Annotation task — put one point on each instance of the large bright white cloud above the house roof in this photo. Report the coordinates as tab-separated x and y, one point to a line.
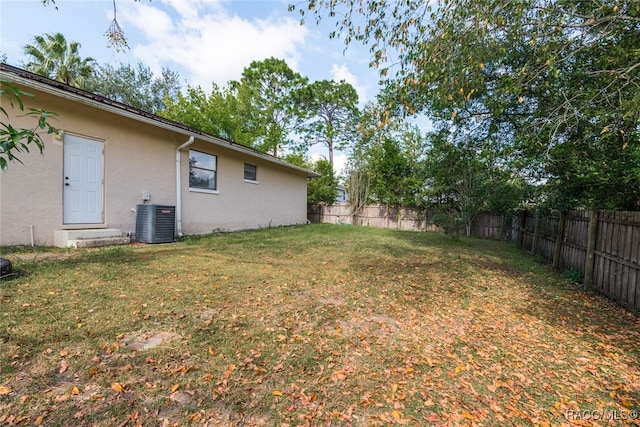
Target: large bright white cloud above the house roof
209	43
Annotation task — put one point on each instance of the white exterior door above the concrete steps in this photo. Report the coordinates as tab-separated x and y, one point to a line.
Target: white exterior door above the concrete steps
82	180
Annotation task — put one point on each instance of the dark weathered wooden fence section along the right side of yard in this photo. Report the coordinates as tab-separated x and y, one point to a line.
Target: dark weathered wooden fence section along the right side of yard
603	246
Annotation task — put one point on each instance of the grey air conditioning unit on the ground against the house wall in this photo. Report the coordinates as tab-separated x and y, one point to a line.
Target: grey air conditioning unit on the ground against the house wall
155	223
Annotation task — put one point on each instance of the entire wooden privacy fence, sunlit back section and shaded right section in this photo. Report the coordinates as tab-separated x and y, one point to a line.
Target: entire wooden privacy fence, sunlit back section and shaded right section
601	246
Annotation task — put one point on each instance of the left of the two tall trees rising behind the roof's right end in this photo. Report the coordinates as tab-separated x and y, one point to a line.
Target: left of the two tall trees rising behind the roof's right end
265	94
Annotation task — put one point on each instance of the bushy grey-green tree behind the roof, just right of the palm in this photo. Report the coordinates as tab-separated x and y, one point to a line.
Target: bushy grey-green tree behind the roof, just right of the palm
137	87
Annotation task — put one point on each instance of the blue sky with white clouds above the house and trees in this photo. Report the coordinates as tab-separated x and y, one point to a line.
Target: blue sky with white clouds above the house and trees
204	40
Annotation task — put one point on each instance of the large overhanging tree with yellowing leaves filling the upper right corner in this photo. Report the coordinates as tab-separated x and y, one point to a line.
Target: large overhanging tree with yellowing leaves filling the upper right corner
535	74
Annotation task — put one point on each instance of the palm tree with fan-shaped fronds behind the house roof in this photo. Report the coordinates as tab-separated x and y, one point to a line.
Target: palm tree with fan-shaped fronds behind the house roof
52	57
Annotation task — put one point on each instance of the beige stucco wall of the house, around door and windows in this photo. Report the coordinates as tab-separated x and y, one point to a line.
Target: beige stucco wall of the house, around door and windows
140	157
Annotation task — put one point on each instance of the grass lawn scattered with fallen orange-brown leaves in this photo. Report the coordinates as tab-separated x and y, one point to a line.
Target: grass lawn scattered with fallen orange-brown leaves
309	325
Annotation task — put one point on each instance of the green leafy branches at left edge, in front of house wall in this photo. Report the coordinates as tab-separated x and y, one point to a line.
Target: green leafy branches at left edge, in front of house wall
17	140
